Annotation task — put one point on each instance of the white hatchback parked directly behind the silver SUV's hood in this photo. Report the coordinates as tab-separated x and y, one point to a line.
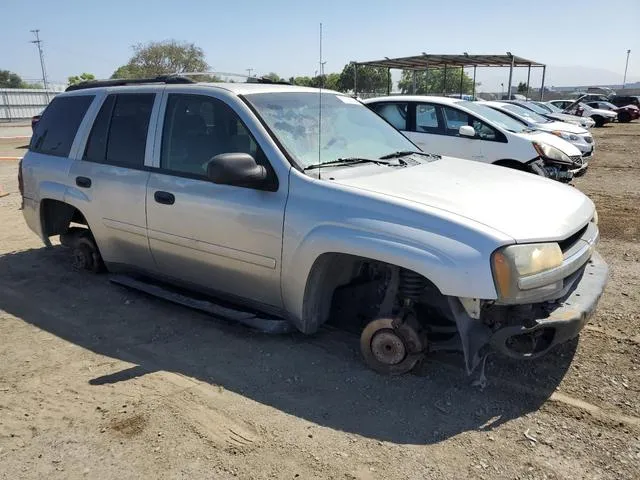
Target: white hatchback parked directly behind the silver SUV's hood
472	130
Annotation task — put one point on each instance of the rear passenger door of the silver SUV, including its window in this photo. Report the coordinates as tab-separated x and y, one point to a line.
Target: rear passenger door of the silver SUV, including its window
109	182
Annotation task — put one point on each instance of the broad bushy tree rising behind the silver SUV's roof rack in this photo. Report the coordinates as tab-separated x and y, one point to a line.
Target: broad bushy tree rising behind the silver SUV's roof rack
162	58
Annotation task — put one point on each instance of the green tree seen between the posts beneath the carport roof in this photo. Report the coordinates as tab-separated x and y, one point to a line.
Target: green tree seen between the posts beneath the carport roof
432	81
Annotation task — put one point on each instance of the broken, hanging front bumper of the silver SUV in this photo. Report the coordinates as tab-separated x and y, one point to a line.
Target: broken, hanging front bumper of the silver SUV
554	323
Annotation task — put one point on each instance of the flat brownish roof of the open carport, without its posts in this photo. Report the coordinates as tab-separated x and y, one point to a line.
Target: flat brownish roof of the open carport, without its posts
421	62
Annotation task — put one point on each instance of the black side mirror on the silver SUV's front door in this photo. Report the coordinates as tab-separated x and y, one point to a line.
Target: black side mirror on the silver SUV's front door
238	169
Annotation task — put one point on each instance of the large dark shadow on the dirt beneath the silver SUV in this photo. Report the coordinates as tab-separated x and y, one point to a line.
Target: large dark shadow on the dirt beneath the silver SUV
319	378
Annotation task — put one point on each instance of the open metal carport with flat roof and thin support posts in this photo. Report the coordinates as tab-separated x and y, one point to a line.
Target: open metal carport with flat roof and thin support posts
426	61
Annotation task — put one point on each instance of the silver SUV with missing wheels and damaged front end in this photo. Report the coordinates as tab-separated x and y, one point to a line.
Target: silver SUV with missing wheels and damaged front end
239	192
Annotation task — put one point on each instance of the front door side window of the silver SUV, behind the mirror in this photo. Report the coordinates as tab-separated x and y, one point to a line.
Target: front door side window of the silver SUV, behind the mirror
196	129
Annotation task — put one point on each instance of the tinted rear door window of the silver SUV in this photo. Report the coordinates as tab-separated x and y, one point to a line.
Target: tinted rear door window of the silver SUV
119	133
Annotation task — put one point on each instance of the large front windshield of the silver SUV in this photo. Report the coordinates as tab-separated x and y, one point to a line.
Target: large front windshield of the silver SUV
349	129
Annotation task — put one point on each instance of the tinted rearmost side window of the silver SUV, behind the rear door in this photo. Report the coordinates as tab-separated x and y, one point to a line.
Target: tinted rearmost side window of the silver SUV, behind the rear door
59	124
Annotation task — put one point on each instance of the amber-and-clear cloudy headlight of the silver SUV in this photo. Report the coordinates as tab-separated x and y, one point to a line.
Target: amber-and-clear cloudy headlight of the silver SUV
512	263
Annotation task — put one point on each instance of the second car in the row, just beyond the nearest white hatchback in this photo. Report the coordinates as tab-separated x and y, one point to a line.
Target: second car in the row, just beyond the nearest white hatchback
577	136
